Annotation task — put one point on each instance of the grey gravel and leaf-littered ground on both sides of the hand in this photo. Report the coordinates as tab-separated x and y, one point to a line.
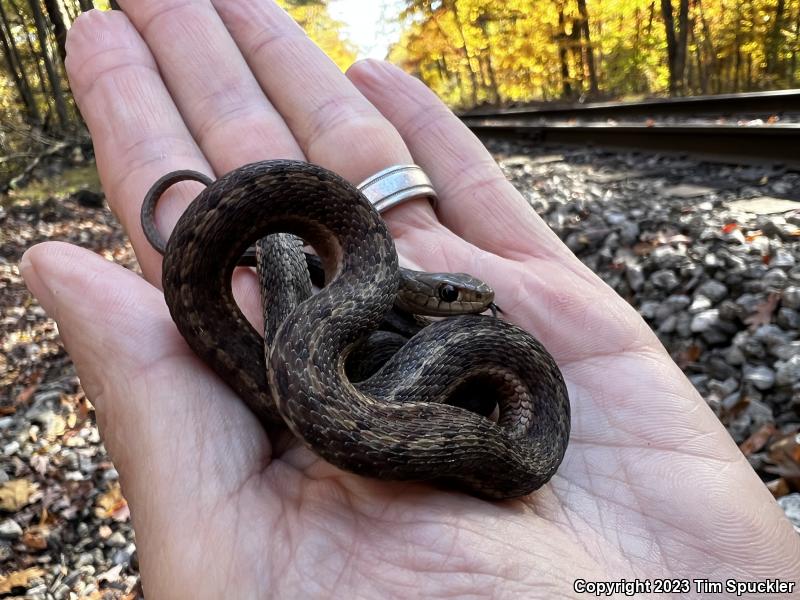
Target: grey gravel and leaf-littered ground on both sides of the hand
709	255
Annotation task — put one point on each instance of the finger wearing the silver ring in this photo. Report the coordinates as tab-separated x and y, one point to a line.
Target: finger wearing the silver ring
332	121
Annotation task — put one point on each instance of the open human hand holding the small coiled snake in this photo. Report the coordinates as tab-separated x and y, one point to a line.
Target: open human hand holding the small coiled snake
652	486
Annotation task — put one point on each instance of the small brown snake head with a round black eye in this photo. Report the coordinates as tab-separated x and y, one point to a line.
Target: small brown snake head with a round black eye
443	294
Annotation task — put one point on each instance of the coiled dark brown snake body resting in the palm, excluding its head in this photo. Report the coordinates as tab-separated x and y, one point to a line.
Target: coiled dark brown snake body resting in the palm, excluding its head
408	420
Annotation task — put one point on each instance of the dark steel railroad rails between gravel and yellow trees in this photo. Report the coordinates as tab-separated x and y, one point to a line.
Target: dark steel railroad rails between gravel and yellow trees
694	126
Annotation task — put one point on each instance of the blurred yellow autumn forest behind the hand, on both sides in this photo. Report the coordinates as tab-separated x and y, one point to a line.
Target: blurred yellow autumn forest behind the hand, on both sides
471	52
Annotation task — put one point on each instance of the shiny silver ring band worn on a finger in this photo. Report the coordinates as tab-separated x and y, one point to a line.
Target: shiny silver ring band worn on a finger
397	184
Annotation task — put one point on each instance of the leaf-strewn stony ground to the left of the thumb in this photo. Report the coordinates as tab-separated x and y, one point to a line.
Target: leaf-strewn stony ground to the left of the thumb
65	530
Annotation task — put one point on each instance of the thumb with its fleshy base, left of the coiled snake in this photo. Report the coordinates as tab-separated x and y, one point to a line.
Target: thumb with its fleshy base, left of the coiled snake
153	397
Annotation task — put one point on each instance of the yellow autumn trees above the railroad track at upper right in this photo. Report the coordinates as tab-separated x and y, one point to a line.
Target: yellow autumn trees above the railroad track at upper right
491	51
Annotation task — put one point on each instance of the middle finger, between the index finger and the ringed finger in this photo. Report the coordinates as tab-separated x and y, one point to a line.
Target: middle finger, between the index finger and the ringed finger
221	102
